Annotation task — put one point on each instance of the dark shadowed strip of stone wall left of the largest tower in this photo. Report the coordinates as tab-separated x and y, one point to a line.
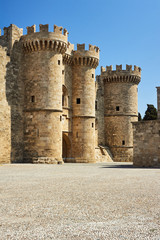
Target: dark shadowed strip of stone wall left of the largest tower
15	98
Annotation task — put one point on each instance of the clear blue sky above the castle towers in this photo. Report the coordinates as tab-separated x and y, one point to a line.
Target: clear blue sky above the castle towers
126	31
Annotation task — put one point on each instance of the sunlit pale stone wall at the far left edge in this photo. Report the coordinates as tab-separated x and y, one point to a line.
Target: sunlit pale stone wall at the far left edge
5	111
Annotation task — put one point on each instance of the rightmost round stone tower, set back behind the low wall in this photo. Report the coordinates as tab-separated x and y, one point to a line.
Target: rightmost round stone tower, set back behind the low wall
120	109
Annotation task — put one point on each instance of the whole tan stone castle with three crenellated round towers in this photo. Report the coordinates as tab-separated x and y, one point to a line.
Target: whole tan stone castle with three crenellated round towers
51	107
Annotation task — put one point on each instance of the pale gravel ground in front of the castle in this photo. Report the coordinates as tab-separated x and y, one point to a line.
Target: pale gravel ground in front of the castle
79	202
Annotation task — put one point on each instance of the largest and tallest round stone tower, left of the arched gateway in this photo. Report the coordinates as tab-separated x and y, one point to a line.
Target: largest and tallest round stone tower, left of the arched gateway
42	76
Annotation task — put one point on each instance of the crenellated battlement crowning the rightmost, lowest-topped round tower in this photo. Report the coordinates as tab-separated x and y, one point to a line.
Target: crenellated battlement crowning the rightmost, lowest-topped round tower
121	75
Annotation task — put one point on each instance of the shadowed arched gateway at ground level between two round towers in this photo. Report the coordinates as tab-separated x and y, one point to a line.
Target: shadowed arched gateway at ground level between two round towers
66	148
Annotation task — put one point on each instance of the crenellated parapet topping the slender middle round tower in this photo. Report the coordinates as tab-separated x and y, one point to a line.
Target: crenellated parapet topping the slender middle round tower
86	57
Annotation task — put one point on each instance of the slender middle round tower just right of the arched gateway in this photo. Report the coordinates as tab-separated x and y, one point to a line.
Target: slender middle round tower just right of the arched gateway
83	103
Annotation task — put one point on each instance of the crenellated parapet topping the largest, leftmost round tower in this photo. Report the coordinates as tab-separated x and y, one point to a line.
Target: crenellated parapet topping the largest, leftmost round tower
45	40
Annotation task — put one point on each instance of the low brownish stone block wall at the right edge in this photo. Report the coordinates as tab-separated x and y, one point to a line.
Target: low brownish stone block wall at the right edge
146	143
